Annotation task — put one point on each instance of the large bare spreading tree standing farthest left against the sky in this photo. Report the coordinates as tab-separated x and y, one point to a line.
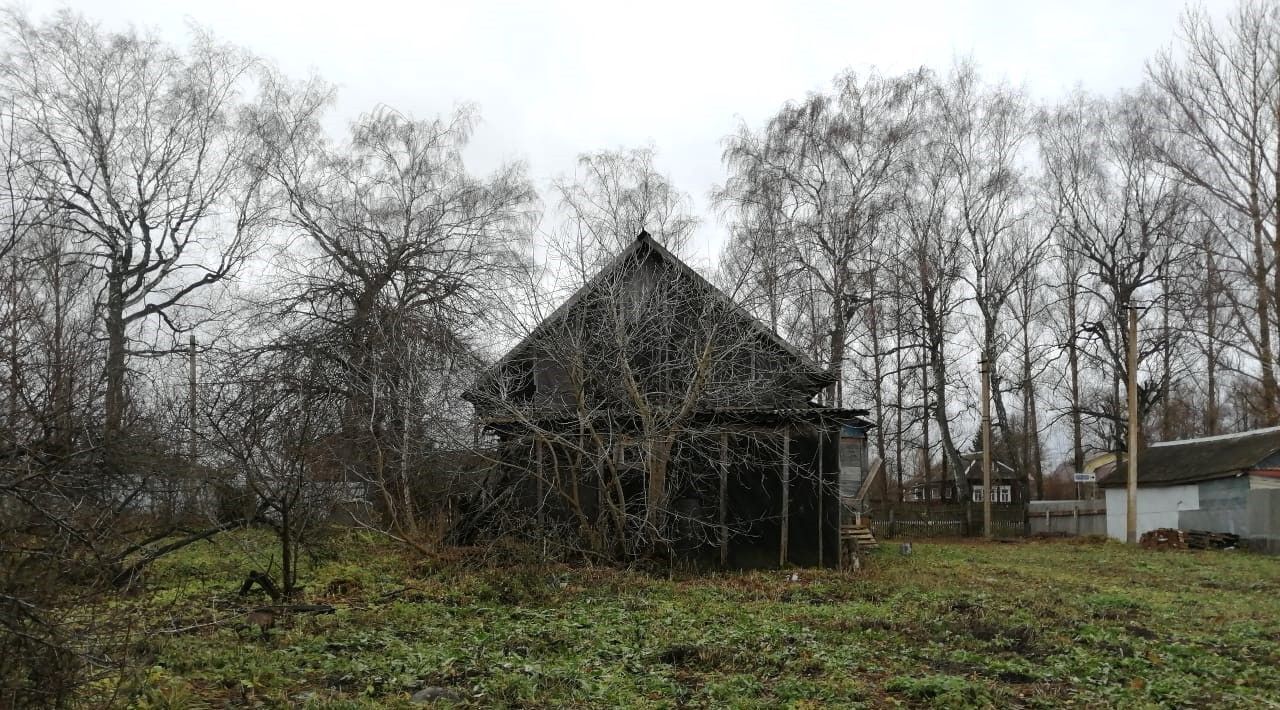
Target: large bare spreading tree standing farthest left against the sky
135	148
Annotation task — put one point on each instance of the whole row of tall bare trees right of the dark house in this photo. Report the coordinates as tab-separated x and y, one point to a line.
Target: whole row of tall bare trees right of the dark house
908	228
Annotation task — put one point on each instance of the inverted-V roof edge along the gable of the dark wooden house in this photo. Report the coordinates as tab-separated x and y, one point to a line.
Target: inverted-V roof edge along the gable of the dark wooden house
627	259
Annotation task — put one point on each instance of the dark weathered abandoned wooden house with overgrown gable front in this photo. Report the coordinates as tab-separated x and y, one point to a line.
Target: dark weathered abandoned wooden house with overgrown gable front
651	414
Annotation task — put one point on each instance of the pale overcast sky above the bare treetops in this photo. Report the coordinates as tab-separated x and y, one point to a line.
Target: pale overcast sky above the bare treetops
555	80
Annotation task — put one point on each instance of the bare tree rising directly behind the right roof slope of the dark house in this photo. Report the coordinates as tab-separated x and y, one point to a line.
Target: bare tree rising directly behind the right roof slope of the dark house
829	168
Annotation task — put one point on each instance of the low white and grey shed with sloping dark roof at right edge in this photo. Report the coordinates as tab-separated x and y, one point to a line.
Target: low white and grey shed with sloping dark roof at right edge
1219	484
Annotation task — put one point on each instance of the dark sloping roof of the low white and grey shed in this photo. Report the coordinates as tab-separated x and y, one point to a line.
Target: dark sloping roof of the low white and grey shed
1191	461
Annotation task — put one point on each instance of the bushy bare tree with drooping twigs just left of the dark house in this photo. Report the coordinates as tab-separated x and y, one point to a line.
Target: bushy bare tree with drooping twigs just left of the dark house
404	258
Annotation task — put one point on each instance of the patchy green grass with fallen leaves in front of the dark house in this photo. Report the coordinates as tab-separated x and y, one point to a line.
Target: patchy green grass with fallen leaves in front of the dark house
954	625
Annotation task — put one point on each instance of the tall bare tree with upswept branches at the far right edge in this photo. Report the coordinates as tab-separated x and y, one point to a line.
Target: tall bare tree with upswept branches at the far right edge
1220	135
